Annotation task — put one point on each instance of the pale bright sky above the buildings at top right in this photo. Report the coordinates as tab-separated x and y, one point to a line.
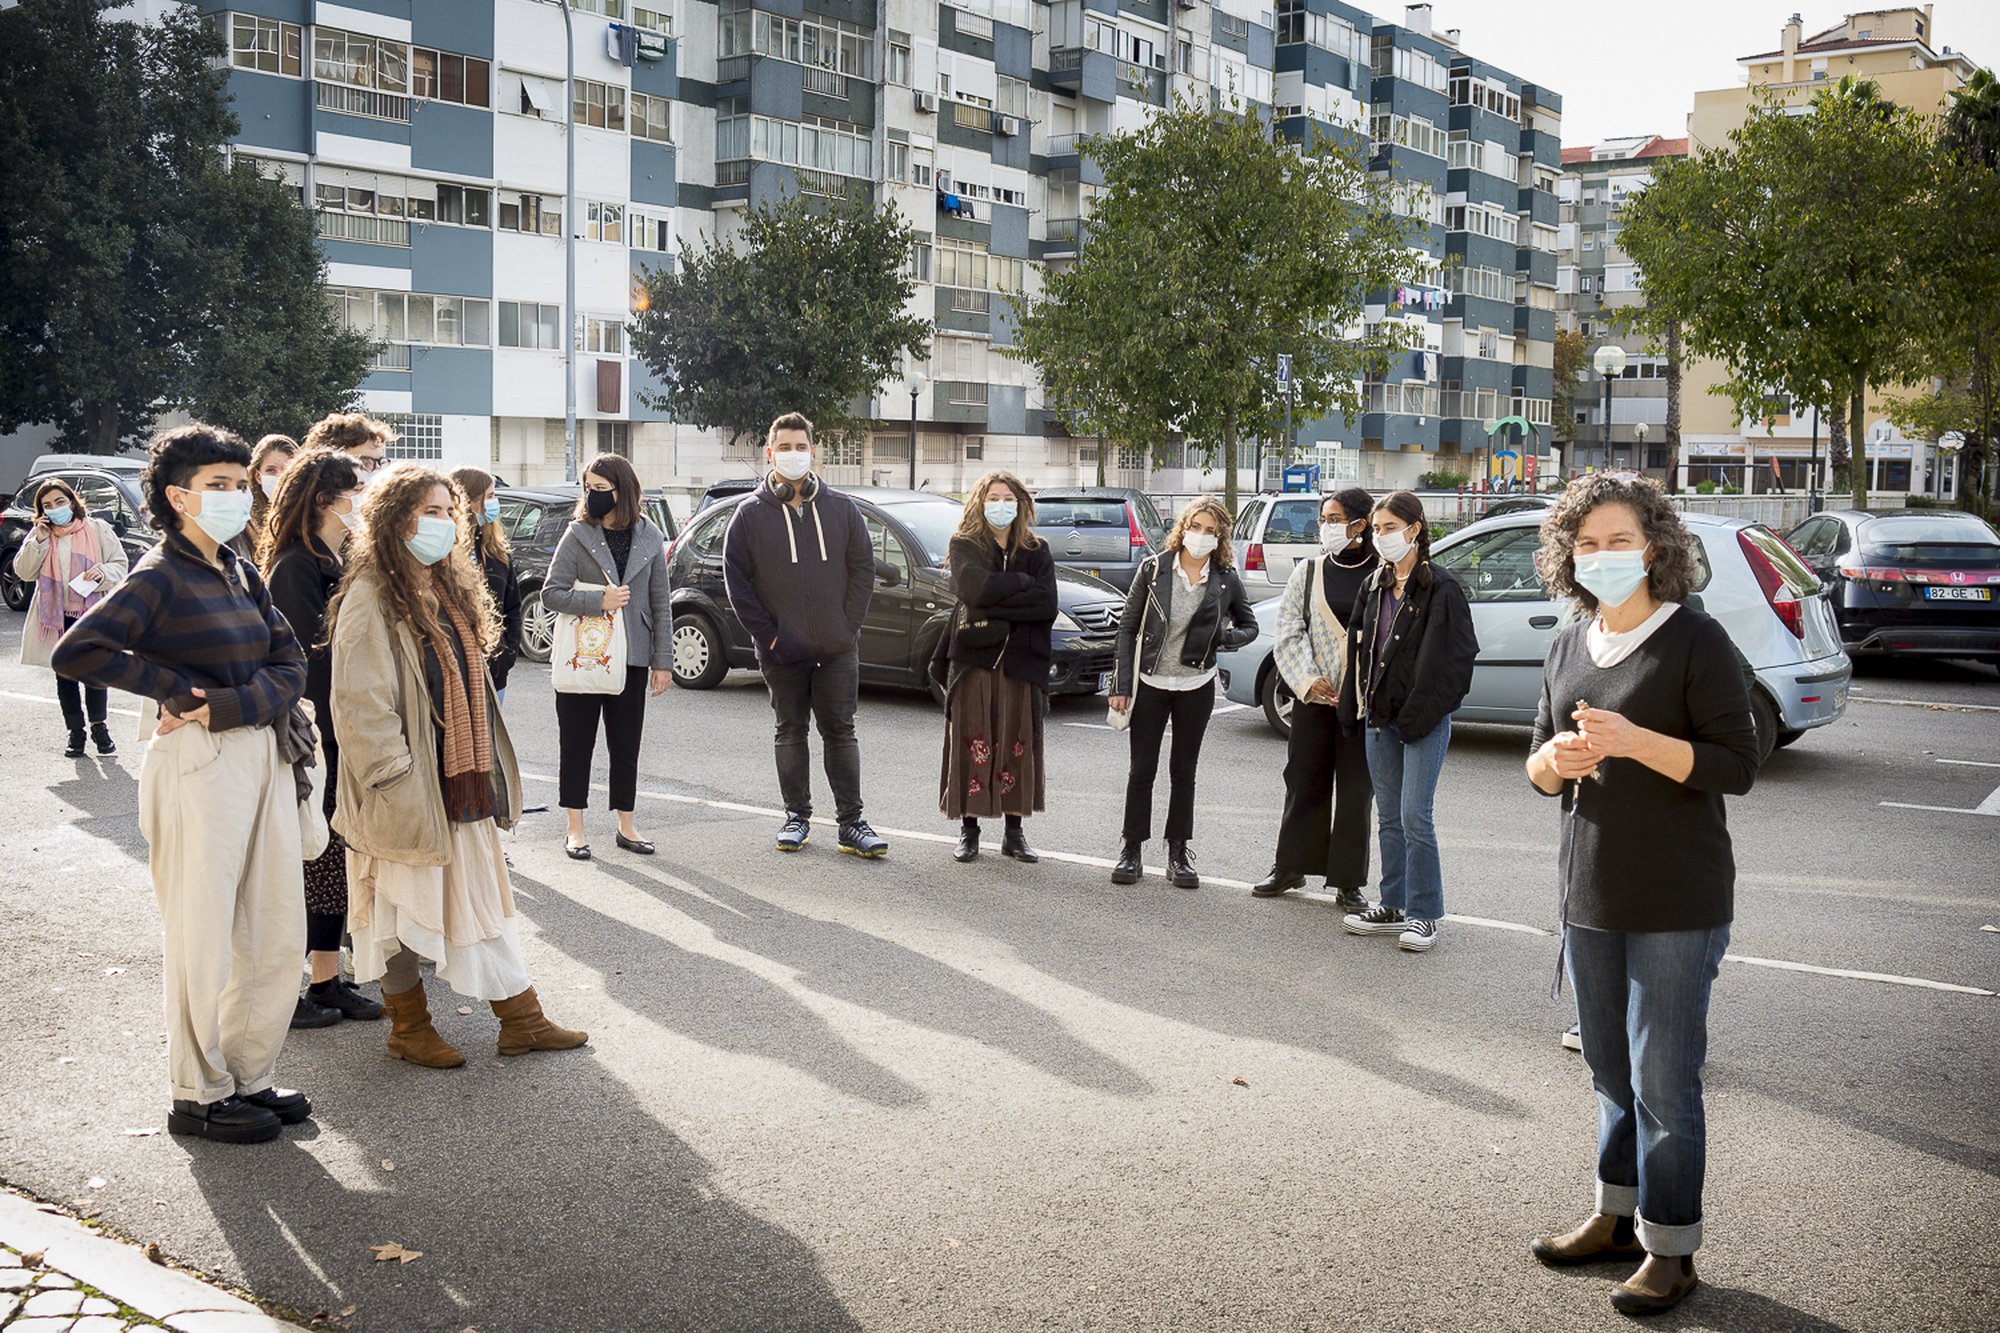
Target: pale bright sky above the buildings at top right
1633	69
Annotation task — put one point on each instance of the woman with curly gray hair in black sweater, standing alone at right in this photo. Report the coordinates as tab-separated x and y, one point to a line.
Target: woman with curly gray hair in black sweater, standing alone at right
1645	728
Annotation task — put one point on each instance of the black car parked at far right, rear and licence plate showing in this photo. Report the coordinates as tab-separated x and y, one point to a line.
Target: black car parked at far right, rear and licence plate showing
1921	581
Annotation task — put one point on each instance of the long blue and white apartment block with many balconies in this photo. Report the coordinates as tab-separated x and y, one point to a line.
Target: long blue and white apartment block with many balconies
431	139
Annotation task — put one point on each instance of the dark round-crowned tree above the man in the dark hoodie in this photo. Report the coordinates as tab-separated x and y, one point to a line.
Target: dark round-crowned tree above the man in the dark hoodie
807	315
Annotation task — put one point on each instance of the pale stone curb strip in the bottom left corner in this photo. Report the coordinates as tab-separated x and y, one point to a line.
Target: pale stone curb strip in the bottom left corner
127	1276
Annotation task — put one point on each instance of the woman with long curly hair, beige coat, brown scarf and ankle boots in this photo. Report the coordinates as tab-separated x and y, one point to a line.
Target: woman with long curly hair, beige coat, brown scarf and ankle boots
427	776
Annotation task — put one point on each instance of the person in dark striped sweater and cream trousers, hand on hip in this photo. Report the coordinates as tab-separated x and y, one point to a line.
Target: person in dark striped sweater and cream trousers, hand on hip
195	629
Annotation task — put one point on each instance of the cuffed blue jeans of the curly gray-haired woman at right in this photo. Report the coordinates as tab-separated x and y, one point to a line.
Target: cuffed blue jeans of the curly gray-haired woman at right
1643	1006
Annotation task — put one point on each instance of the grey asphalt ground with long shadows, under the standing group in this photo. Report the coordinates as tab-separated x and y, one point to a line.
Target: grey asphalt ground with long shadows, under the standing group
827	1094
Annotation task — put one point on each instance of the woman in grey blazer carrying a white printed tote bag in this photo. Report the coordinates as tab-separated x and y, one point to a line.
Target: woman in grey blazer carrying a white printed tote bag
621	557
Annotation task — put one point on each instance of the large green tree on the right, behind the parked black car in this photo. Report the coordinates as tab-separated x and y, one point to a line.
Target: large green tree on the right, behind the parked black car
1803	255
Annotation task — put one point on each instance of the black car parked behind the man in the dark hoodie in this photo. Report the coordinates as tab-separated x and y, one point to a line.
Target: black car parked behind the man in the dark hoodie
913	599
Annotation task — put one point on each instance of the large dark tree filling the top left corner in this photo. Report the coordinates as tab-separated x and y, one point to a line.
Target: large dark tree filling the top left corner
139	273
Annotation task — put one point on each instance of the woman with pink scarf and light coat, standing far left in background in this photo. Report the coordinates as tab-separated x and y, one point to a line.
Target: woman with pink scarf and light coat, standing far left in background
73	561
